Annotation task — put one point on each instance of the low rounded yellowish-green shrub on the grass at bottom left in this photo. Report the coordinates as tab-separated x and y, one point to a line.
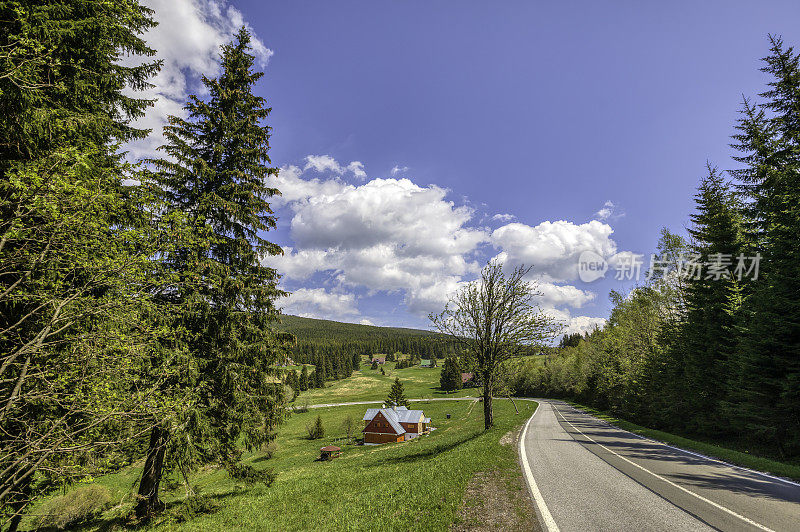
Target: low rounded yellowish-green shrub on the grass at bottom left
75	507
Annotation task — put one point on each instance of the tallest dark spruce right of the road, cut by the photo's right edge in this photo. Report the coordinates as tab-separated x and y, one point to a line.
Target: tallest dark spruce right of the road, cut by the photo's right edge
767	384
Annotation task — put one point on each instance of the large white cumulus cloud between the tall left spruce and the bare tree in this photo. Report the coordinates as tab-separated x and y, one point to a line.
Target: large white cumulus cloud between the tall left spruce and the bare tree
387	235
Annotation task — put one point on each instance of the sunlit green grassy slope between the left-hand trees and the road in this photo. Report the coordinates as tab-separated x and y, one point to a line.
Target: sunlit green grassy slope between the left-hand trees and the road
418	484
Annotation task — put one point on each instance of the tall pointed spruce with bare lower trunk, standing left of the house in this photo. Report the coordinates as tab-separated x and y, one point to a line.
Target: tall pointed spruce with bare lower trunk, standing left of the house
217	172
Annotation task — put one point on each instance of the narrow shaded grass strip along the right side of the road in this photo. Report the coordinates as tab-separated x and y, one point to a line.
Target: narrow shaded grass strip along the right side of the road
740	458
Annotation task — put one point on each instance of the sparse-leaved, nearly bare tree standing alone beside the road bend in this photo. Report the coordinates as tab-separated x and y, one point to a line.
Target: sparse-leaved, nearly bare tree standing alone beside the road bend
496	318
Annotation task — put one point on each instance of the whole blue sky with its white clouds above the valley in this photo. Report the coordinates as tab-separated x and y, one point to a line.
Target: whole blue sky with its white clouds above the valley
543	113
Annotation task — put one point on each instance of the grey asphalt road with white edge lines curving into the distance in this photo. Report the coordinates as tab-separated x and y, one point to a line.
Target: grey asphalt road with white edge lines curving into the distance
588	475
